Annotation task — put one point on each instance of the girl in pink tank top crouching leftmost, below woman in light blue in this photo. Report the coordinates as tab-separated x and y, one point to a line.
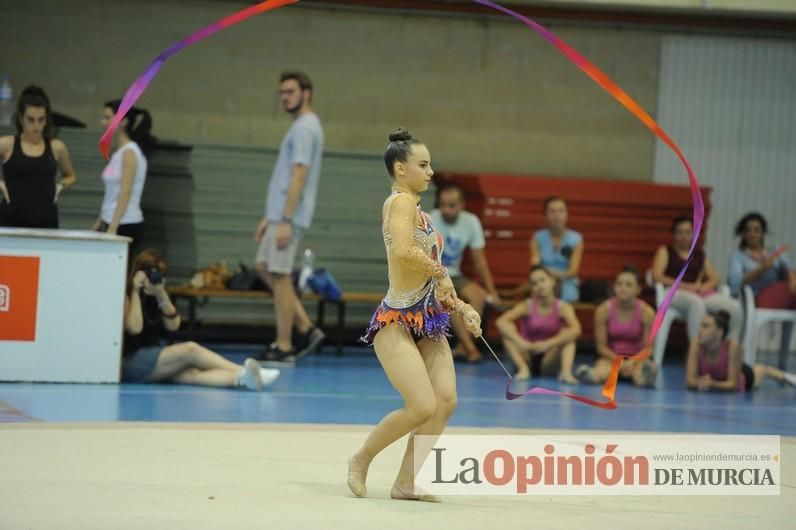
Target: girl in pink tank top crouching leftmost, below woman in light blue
539	334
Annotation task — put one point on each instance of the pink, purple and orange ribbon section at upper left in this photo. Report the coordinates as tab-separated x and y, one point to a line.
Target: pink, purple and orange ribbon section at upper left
139	85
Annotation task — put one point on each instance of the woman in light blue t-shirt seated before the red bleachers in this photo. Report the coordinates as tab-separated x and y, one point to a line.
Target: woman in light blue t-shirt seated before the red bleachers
558	249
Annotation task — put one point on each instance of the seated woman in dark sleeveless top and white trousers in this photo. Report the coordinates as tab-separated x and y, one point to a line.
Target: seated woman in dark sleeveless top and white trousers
697	292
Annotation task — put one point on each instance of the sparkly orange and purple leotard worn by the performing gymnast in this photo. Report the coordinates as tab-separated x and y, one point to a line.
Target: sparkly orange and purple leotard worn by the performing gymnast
416	310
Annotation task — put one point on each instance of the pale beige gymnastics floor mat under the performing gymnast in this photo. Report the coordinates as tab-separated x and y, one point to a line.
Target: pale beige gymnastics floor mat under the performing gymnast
233	476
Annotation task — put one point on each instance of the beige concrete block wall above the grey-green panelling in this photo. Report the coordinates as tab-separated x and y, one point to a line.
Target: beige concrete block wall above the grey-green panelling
486	94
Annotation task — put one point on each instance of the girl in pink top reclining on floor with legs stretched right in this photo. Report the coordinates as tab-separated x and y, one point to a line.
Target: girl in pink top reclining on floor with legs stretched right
714	361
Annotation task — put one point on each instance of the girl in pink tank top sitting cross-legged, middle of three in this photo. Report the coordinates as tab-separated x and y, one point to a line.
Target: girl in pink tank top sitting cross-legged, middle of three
621	327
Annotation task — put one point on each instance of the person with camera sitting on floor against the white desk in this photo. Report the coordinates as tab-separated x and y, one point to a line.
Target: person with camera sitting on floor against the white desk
149	315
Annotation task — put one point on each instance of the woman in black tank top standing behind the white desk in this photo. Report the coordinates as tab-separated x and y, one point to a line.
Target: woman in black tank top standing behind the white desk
31	160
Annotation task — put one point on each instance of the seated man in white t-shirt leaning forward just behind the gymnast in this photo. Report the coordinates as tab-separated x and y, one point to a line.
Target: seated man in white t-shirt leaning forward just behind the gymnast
461	230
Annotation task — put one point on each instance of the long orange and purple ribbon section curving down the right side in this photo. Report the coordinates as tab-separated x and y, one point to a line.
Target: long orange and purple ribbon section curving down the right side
599	77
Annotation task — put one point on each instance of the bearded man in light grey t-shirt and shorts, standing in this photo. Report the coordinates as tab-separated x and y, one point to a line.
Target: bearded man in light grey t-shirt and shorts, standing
289	208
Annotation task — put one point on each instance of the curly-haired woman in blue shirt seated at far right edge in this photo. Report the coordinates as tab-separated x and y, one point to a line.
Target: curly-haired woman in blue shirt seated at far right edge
766	270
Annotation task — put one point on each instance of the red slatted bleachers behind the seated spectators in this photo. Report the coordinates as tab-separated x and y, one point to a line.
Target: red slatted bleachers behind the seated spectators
621	222
